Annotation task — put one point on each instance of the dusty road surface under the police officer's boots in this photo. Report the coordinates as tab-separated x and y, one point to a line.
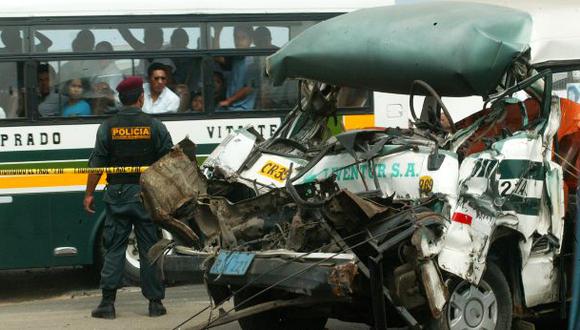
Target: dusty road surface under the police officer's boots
63	299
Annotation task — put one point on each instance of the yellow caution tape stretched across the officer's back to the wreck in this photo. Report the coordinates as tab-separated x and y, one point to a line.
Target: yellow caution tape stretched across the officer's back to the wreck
73	170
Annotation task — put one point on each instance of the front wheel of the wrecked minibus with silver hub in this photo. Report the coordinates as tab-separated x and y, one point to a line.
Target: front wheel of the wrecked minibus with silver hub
486	306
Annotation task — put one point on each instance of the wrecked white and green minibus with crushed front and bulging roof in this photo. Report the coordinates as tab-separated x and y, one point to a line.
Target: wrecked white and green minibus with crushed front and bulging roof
451	224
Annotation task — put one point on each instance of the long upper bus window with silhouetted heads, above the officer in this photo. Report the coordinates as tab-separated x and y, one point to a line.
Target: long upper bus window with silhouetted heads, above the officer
143	37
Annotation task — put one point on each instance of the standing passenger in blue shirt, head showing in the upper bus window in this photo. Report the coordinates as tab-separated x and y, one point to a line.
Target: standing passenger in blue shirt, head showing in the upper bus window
241	83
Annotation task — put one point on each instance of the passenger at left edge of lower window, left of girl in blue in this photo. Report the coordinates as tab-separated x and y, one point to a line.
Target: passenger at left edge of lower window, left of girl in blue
49	101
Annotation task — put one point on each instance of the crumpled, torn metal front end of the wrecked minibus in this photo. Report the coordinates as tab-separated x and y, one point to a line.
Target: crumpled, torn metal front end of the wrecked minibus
316	249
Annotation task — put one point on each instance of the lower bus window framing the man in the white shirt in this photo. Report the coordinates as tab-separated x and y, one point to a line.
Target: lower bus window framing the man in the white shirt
97	80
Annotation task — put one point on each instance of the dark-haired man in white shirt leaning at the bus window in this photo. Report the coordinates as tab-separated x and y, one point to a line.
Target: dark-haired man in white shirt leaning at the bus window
158	97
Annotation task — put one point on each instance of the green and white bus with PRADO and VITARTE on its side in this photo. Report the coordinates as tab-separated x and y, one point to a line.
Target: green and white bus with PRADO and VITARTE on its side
44	46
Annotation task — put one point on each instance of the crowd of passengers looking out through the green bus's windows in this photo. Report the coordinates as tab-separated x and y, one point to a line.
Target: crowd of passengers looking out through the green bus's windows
87	87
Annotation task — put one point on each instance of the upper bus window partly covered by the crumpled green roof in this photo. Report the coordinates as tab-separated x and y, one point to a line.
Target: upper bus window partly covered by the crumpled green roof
260	35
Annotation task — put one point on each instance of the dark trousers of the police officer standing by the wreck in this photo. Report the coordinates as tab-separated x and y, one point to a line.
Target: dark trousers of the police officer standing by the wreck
120	219
